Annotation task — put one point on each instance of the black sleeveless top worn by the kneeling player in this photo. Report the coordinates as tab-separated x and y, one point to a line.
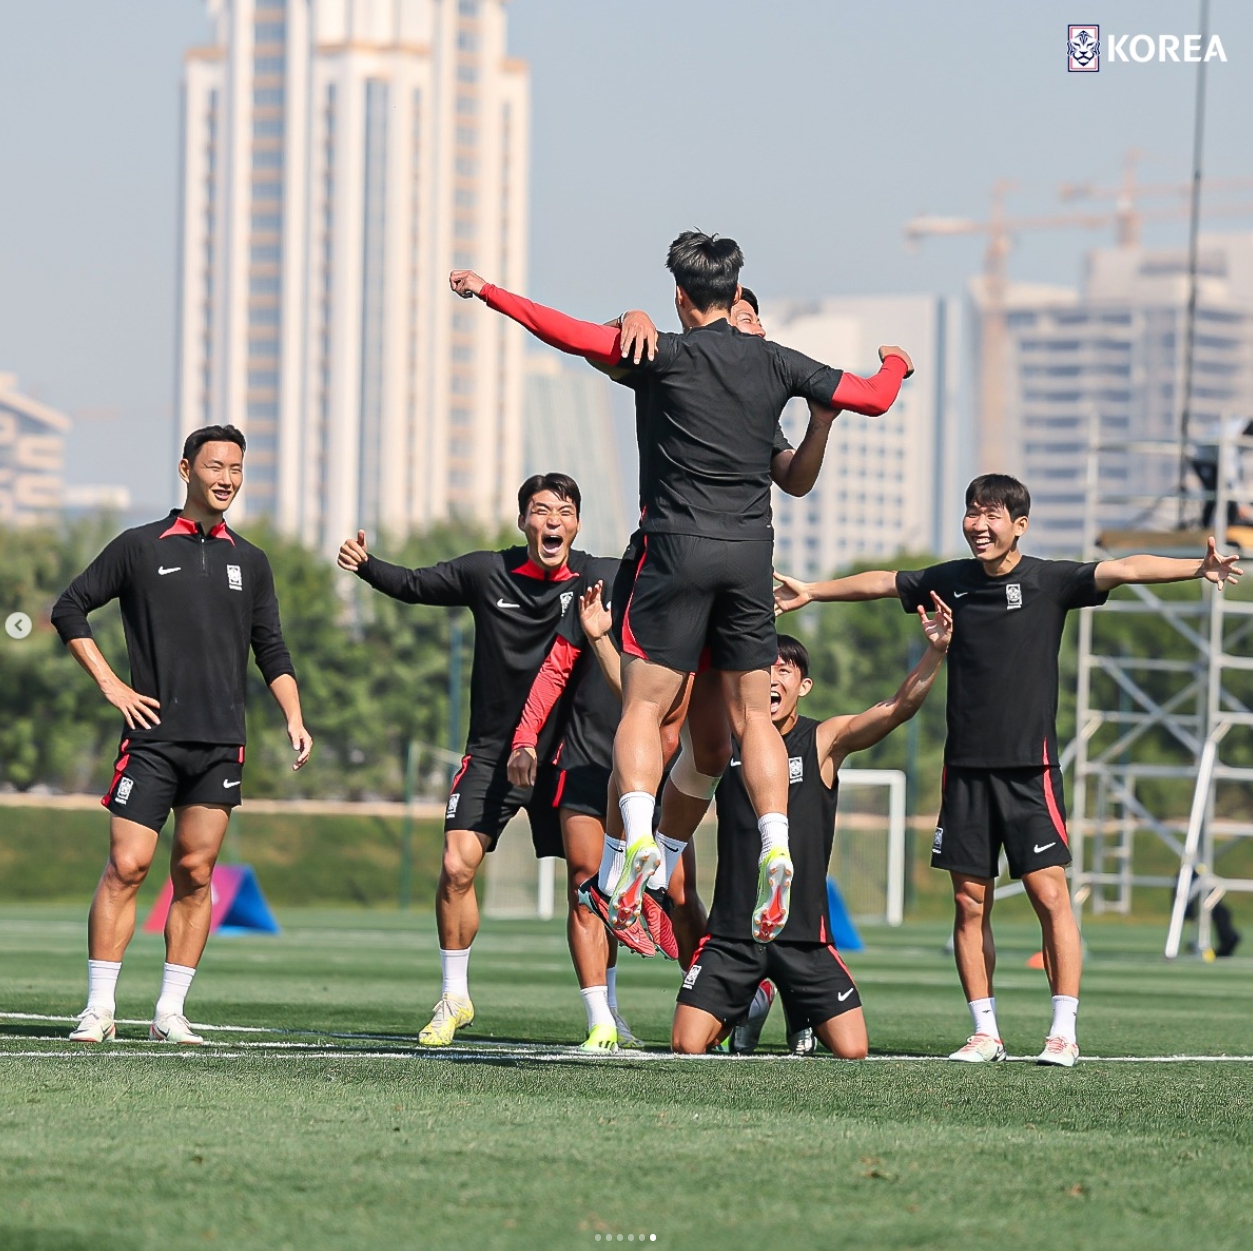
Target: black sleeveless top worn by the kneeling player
811	812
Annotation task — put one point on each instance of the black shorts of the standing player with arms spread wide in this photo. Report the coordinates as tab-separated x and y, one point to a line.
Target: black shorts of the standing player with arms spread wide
983	810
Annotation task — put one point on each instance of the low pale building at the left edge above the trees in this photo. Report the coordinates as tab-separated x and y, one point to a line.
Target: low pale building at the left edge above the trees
32	458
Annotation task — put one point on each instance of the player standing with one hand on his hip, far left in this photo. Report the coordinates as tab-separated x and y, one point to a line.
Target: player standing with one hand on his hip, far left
195	599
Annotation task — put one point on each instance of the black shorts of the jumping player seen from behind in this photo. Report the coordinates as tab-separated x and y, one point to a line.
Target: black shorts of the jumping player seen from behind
676	594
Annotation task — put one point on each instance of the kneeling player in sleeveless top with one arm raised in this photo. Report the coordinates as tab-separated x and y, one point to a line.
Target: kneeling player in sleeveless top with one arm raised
803	962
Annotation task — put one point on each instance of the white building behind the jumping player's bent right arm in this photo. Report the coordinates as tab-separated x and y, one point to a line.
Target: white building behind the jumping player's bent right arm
889	484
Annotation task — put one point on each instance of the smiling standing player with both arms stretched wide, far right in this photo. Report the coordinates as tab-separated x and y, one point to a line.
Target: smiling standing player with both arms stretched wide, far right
1003	785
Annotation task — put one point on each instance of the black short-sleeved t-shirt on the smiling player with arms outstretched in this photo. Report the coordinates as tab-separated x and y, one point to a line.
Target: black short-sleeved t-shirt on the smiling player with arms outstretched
1003	662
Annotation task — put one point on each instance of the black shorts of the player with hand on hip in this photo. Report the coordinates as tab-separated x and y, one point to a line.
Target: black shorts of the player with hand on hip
152	778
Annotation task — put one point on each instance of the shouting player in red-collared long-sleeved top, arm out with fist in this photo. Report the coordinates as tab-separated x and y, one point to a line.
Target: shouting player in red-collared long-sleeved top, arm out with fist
518	599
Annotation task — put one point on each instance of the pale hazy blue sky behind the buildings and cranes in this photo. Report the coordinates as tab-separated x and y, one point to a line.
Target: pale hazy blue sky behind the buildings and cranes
811	131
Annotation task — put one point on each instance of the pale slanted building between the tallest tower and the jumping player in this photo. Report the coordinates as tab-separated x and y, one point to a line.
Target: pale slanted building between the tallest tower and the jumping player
569	428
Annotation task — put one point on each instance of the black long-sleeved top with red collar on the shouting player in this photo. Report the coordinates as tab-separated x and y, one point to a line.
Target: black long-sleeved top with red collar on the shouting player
517	607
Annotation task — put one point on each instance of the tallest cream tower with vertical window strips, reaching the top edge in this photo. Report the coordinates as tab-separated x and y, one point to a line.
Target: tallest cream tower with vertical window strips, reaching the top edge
339	159
